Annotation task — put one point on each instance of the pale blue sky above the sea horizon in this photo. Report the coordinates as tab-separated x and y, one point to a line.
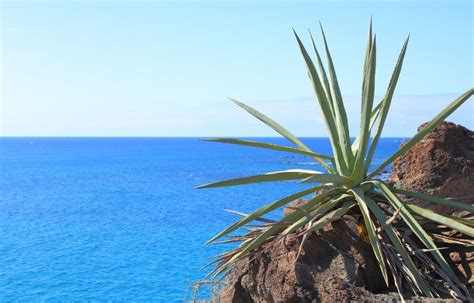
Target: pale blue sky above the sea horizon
166	68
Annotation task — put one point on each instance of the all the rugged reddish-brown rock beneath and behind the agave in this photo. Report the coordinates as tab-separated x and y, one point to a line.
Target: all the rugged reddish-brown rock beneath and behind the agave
334	264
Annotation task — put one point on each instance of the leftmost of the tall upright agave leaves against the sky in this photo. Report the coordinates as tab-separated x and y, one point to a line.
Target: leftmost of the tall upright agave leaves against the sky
325	109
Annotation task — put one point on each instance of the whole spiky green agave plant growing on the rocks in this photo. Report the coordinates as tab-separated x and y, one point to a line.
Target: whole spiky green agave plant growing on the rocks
396	229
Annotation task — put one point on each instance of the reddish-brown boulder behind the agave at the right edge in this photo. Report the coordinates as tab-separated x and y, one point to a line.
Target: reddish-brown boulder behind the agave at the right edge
442	164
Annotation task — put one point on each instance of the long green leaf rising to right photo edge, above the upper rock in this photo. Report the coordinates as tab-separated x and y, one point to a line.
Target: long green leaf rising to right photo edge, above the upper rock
428	127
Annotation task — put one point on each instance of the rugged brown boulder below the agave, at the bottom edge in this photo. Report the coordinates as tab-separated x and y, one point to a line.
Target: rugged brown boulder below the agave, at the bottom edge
334	265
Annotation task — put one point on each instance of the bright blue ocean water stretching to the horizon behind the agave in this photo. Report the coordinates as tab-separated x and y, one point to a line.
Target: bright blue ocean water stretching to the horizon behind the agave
118	219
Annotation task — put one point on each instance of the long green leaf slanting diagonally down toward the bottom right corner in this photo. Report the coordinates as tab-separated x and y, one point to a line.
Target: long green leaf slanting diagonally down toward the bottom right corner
415	226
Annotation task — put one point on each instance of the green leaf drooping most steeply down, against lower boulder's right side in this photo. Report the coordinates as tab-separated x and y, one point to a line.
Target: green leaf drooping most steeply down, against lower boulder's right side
369	225
